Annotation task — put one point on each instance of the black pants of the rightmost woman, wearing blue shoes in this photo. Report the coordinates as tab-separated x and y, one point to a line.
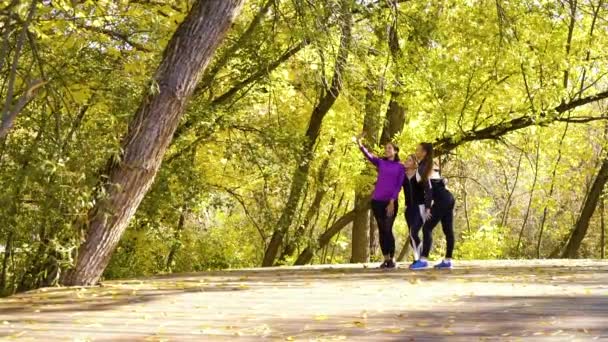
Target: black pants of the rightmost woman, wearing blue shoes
440	212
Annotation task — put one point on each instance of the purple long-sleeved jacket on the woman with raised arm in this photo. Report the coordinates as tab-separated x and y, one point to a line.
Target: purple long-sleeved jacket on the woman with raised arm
390	177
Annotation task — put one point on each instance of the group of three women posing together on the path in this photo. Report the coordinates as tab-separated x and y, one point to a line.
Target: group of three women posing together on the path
428	202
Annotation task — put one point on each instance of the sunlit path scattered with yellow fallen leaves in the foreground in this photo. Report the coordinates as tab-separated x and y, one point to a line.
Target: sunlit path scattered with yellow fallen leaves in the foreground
555	300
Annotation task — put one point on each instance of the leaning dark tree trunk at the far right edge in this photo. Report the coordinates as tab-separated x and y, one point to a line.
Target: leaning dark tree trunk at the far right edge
582	224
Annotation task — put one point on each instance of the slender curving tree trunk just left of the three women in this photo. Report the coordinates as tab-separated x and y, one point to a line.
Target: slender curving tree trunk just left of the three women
328	98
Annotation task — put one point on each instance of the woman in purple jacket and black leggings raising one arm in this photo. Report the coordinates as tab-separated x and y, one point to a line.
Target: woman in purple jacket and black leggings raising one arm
391	174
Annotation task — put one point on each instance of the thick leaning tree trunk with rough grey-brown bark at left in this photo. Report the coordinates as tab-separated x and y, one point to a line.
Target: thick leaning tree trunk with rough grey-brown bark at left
150	132
